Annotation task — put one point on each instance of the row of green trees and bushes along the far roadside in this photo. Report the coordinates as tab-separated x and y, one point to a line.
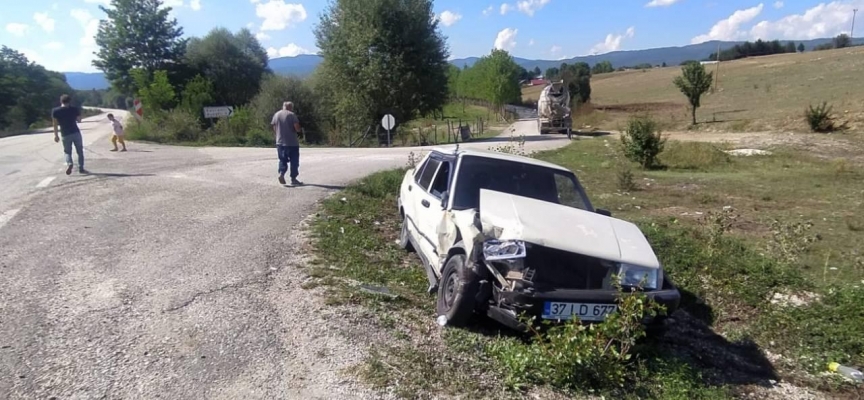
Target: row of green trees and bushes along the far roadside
387	56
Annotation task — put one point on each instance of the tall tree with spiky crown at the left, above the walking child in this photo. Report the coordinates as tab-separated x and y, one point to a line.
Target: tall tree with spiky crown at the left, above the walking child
137	34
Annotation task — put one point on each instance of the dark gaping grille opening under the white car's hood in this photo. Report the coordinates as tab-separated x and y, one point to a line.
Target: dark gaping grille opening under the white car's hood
557	269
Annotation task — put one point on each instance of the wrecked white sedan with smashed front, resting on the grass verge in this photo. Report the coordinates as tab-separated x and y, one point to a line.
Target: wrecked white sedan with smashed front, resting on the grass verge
503	235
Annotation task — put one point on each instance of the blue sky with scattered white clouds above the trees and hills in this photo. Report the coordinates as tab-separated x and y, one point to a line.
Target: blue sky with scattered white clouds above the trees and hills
59	34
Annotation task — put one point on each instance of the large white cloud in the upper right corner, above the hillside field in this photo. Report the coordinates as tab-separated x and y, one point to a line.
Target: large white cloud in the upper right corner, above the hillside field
823	20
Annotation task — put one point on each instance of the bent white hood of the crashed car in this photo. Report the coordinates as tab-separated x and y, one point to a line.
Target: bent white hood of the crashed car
510	217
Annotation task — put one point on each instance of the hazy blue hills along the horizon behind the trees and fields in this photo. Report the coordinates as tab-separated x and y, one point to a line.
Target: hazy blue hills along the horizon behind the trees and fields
303	65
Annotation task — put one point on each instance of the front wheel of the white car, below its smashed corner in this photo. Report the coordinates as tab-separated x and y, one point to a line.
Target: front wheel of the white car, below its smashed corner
457	291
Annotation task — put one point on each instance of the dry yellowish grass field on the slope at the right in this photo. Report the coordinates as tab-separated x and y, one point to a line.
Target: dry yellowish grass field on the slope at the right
755	95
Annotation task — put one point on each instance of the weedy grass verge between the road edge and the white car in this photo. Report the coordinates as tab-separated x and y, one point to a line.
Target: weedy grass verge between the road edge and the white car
354	237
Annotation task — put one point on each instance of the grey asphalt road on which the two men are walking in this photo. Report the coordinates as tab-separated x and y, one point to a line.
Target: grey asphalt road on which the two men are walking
168	272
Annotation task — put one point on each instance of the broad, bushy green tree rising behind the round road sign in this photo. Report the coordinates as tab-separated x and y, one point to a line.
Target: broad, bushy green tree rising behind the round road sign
382	56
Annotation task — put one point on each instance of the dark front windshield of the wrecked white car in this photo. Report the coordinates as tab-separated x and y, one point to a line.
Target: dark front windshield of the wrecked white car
521	179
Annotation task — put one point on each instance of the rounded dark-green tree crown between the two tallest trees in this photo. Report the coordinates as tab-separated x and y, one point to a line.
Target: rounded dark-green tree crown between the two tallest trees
234	64
